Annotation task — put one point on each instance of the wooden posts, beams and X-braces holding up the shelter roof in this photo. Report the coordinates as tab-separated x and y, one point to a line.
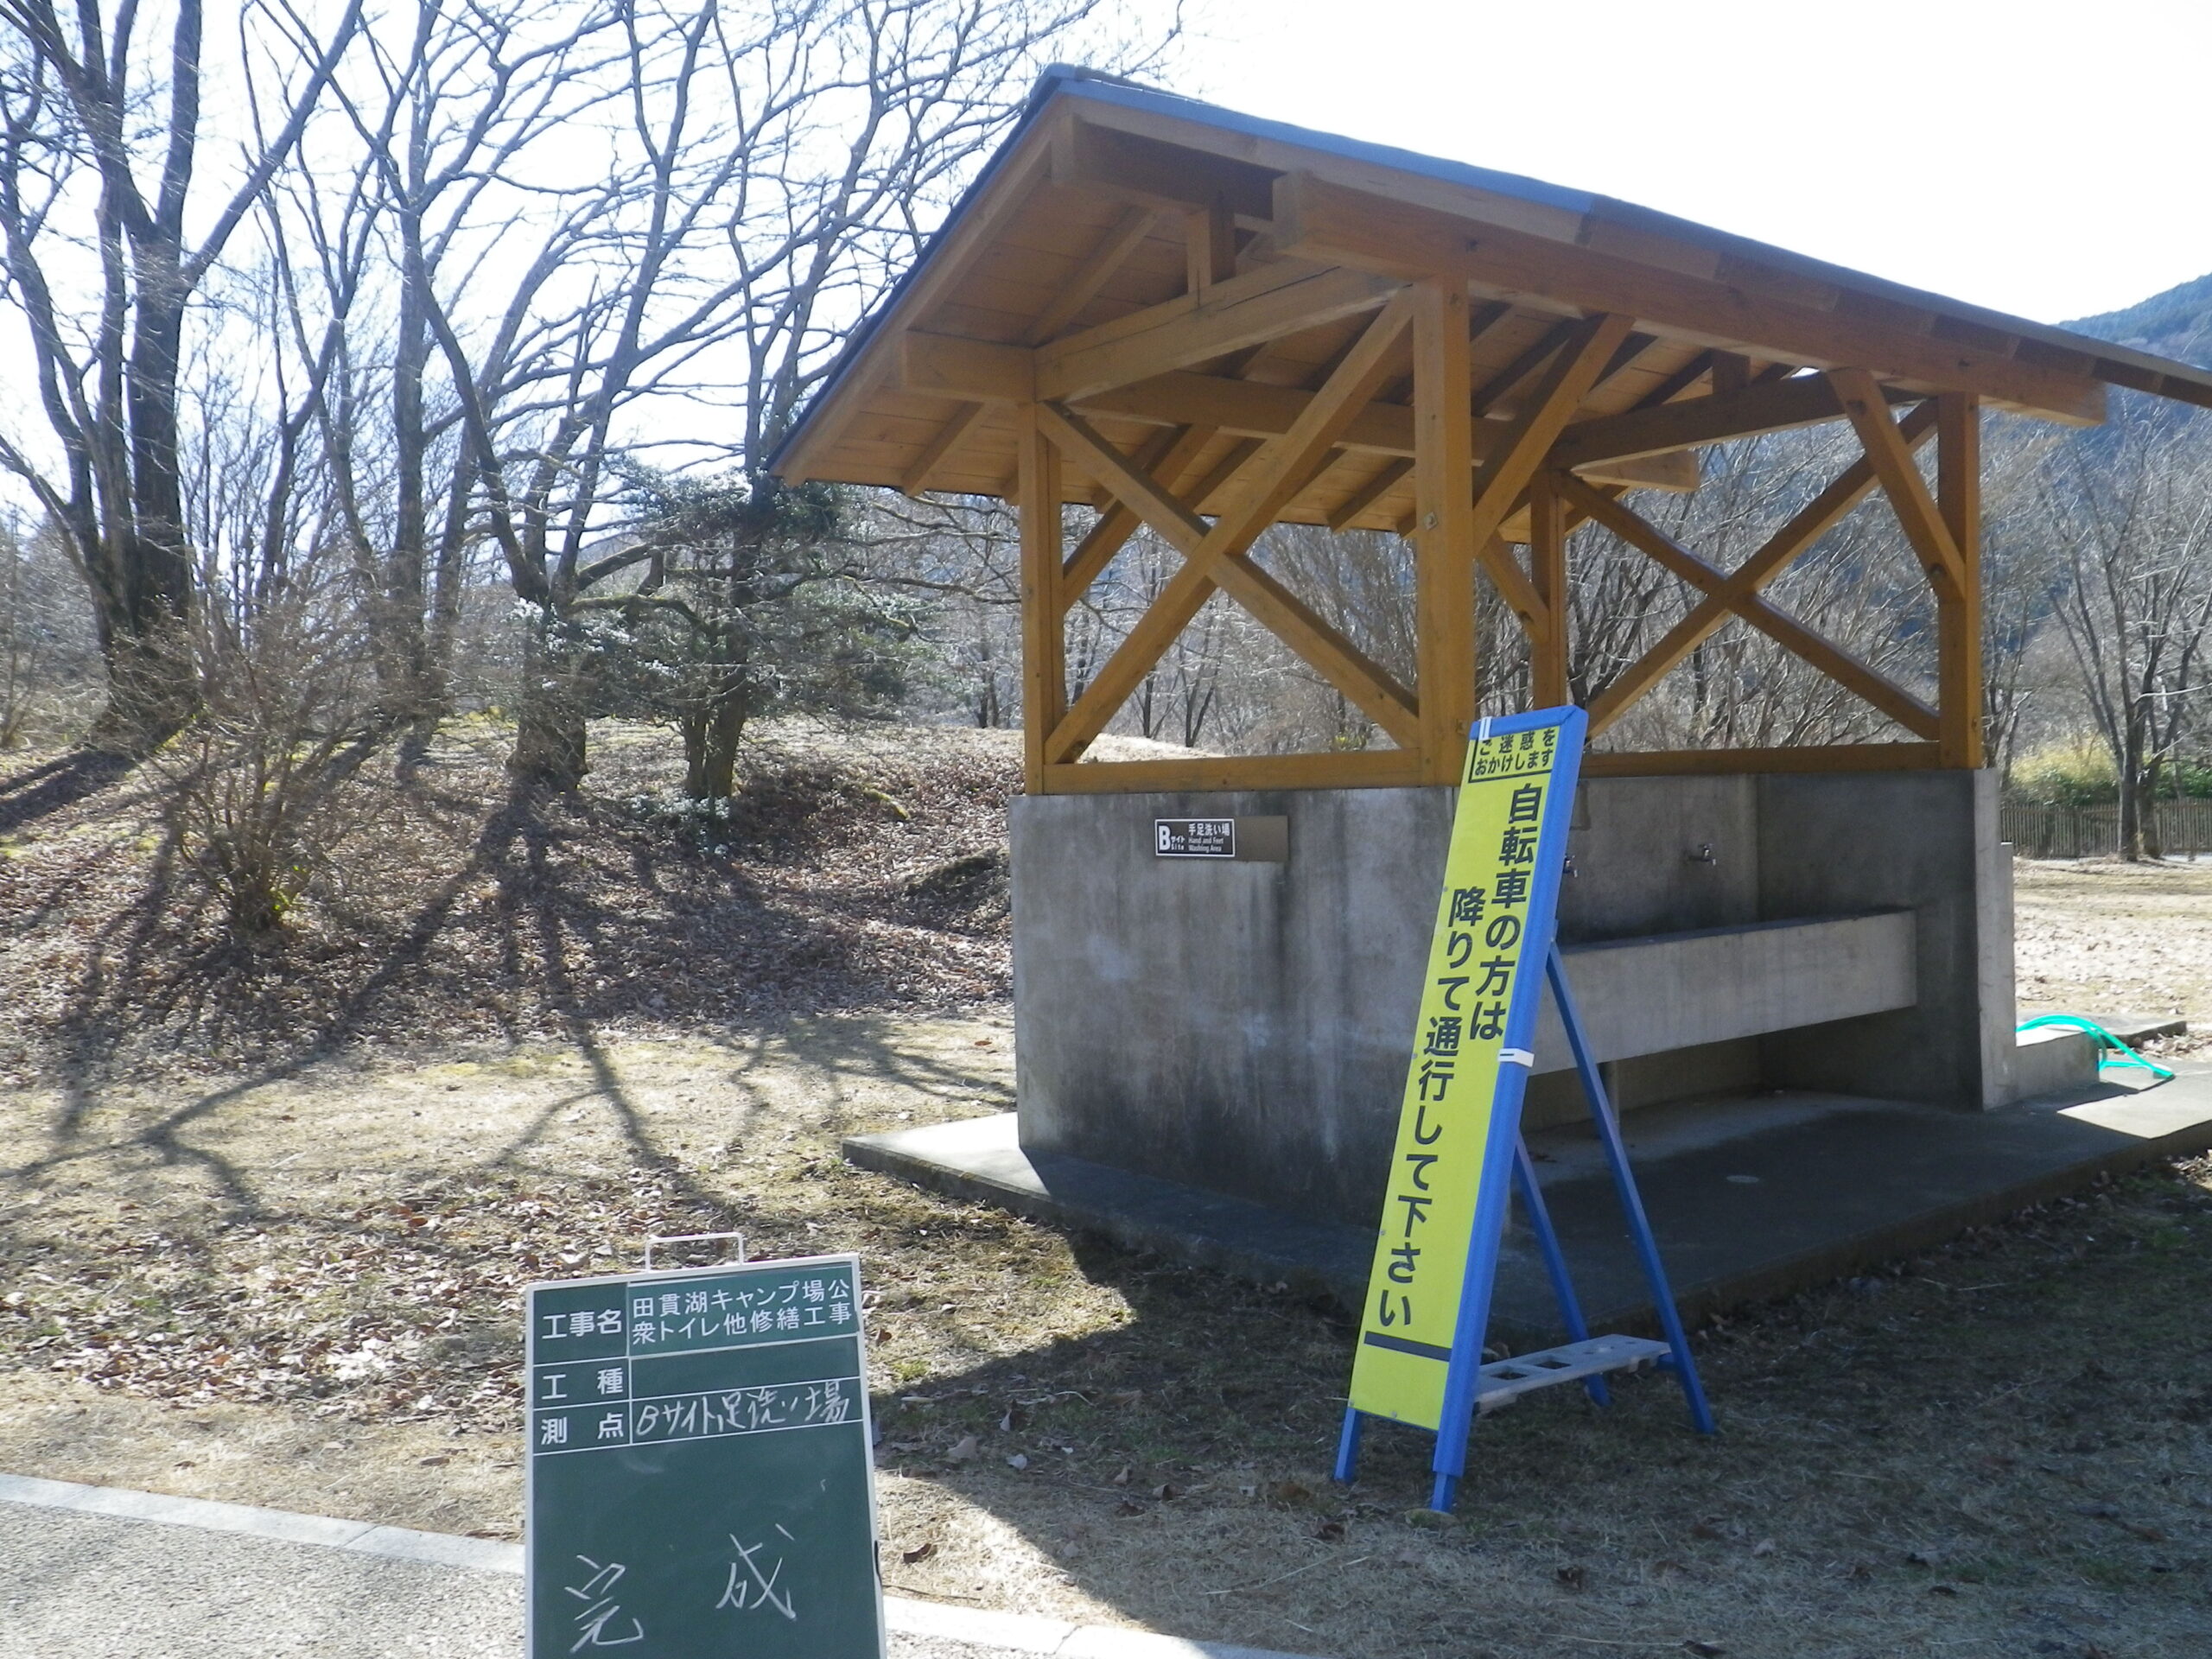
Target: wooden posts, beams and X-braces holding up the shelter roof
1463	508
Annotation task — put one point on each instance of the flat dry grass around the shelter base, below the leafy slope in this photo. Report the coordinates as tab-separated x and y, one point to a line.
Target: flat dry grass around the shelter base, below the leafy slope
302	1293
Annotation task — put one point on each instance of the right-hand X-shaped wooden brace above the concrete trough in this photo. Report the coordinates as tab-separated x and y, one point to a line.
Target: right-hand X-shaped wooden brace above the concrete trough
1735	594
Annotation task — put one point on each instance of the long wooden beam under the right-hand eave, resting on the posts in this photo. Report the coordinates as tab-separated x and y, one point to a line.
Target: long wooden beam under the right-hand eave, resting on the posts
1342	227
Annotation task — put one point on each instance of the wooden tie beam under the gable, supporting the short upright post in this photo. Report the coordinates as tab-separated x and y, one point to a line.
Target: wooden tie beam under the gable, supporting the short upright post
1284	298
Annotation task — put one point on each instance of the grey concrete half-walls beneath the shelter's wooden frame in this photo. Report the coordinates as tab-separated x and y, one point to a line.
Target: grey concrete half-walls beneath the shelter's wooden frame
1246	1025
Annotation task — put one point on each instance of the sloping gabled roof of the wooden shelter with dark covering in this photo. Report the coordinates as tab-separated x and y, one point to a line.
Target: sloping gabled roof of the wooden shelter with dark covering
1167	264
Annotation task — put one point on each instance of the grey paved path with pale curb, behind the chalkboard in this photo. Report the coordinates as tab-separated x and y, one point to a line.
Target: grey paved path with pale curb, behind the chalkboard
105	1574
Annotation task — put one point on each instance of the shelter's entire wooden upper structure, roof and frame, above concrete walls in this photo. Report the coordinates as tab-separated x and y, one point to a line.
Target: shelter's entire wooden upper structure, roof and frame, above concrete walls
1207	324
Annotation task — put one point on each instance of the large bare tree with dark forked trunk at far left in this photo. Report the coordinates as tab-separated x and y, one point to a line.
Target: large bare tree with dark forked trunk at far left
107	247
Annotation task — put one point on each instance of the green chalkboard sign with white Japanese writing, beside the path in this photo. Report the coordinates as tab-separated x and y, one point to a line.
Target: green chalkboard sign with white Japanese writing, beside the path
700	1477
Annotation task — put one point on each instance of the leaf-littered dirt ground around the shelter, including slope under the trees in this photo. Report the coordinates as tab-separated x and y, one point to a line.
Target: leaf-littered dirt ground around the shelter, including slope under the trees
286	1273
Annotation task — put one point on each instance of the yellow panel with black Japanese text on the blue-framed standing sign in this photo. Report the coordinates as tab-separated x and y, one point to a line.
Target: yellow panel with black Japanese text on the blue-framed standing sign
1472	1054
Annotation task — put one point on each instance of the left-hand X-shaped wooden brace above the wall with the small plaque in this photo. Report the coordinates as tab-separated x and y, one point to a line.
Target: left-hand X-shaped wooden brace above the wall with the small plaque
1215	556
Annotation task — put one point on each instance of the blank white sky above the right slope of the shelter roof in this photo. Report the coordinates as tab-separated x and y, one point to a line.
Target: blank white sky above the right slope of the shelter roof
2041	158
